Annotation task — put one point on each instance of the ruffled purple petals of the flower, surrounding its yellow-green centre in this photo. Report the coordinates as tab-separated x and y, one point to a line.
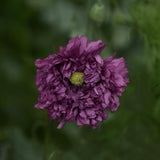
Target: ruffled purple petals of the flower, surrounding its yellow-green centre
104	82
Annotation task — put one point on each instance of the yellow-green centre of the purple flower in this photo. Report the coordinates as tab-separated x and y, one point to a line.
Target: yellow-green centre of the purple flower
77	78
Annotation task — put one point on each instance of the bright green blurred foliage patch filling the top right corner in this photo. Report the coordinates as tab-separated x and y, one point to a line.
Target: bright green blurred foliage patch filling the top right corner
147	21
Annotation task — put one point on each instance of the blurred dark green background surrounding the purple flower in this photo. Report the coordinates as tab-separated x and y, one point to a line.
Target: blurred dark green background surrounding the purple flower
29	29
